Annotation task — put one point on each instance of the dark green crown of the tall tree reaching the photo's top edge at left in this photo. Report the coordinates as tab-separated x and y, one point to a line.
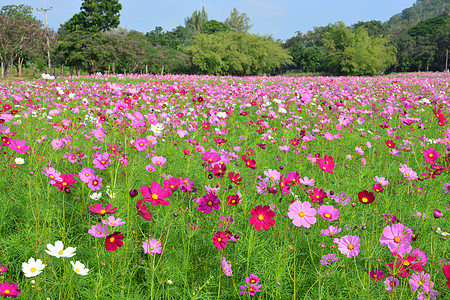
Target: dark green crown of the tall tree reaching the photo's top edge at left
95	16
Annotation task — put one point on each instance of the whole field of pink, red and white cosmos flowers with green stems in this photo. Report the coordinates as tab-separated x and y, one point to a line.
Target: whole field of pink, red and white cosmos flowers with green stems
200	187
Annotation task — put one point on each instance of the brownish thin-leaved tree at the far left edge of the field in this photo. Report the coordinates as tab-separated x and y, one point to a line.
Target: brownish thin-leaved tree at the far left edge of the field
18	35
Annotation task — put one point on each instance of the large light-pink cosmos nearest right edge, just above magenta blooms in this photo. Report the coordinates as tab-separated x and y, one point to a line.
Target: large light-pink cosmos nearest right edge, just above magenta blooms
398	238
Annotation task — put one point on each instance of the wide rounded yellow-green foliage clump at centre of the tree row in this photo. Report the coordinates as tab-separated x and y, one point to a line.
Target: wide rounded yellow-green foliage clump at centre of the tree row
236	54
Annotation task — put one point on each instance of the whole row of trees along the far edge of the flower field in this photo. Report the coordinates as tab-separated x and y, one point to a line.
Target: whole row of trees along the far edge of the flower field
91	41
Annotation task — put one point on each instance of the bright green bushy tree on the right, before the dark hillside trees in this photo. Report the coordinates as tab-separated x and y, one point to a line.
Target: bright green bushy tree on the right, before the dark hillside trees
354	52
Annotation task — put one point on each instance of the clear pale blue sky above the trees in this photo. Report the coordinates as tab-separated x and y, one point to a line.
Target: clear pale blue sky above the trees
281	19
